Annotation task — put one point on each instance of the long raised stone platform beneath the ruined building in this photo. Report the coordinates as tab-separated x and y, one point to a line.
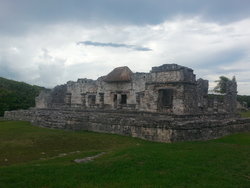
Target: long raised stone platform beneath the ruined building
145	125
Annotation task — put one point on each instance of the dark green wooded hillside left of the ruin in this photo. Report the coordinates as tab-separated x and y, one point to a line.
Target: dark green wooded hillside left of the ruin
16	95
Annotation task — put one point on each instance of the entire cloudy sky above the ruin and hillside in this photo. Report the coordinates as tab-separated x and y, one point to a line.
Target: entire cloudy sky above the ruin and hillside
49	42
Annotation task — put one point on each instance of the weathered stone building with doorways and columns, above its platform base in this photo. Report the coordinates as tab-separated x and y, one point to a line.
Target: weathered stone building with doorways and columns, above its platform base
169	88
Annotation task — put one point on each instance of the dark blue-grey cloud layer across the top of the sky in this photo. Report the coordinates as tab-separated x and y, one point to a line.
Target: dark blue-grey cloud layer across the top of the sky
16	16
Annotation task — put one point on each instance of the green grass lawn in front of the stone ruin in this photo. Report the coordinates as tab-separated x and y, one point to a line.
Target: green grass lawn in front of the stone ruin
33	161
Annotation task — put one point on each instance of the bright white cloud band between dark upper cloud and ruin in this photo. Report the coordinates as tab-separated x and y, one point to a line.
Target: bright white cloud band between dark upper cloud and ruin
50	55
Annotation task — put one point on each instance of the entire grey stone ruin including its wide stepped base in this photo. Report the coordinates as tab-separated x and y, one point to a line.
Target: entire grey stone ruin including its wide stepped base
167	104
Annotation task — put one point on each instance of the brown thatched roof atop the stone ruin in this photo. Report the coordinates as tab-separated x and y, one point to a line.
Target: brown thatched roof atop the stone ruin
119	74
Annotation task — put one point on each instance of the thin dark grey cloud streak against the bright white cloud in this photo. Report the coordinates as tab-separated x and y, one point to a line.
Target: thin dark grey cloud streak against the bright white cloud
115	45
